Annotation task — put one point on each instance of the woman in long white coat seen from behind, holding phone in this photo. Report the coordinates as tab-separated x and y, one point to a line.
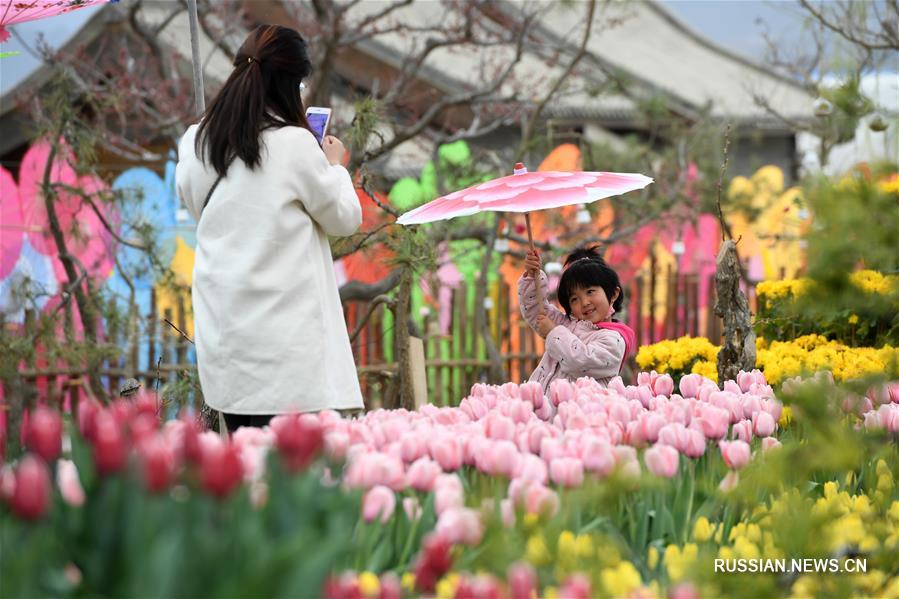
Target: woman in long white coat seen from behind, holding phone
270	333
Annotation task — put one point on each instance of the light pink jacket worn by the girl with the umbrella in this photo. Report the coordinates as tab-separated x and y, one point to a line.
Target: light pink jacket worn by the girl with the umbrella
574	348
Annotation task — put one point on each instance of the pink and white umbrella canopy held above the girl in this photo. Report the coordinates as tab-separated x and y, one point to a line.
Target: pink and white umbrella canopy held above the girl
526	192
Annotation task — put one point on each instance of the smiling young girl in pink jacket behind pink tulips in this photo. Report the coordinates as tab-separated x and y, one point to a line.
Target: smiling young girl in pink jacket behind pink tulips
584	341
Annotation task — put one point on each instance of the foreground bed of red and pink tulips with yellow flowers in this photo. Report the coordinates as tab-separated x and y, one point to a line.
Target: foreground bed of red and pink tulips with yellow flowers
625	491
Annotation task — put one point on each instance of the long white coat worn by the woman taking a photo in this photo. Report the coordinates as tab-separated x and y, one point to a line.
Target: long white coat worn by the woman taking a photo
269	326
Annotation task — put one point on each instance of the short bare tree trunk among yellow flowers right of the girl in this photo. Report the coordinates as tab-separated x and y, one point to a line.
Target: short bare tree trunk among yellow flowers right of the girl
738	351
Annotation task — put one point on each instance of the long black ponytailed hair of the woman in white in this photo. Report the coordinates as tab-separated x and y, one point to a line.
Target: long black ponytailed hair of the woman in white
262	92
